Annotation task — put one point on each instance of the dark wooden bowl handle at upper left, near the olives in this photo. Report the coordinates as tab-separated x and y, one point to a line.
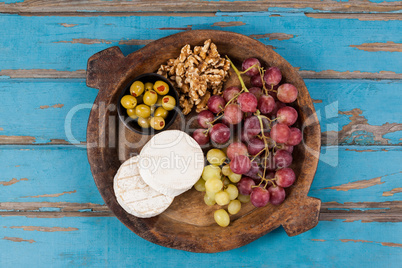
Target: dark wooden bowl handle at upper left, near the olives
104	68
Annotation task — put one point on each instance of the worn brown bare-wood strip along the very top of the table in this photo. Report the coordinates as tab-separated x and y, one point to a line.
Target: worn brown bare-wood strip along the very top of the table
99	6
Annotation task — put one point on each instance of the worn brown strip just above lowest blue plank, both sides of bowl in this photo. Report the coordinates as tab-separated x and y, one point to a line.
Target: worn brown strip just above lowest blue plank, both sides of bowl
390	211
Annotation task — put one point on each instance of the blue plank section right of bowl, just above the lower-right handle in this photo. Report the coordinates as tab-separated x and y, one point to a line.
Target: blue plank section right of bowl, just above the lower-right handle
358	174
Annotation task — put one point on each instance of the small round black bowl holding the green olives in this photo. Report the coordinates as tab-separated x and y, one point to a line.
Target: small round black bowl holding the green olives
131	123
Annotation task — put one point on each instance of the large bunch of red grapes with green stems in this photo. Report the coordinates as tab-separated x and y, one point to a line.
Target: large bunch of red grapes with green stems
265	118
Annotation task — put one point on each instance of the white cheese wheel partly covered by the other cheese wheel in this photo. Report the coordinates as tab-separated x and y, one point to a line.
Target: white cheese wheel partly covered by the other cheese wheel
134	195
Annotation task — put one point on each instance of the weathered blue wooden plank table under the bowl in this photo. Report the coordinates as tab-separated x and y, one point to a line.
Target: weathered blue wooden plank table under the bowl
348	52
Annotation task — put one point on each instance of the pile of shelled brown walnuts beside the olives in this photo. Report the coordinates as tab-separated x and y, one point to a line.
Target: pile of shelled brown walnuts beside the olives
197	74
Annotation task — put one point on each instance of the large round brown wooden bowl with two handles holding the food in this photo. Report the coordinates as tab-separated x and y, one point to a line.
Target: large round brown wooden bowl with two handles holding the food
188	223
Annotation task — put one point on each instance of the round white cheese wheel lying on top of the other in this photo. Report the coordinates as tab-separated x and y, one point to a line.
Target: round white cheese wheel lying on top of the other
171	162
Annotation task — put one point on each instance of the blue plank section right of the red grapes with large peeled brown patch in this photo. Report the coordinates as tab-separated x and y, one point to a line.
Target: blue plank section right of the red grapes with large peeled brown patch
372	108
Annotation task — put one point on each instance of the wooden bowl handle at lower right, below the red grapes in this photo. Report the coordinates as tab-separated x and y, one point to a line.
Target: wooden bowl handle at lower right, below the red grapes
304	217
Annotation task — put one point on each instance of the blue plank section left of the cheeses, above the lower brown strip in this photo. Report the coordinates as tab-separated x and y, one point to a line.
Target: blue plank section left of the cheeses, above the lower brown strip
39	174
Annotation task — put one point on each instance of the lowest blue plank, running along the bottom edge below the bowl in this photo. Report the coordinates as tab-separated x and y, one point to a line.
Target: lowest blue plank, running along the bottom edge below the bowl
107	242
